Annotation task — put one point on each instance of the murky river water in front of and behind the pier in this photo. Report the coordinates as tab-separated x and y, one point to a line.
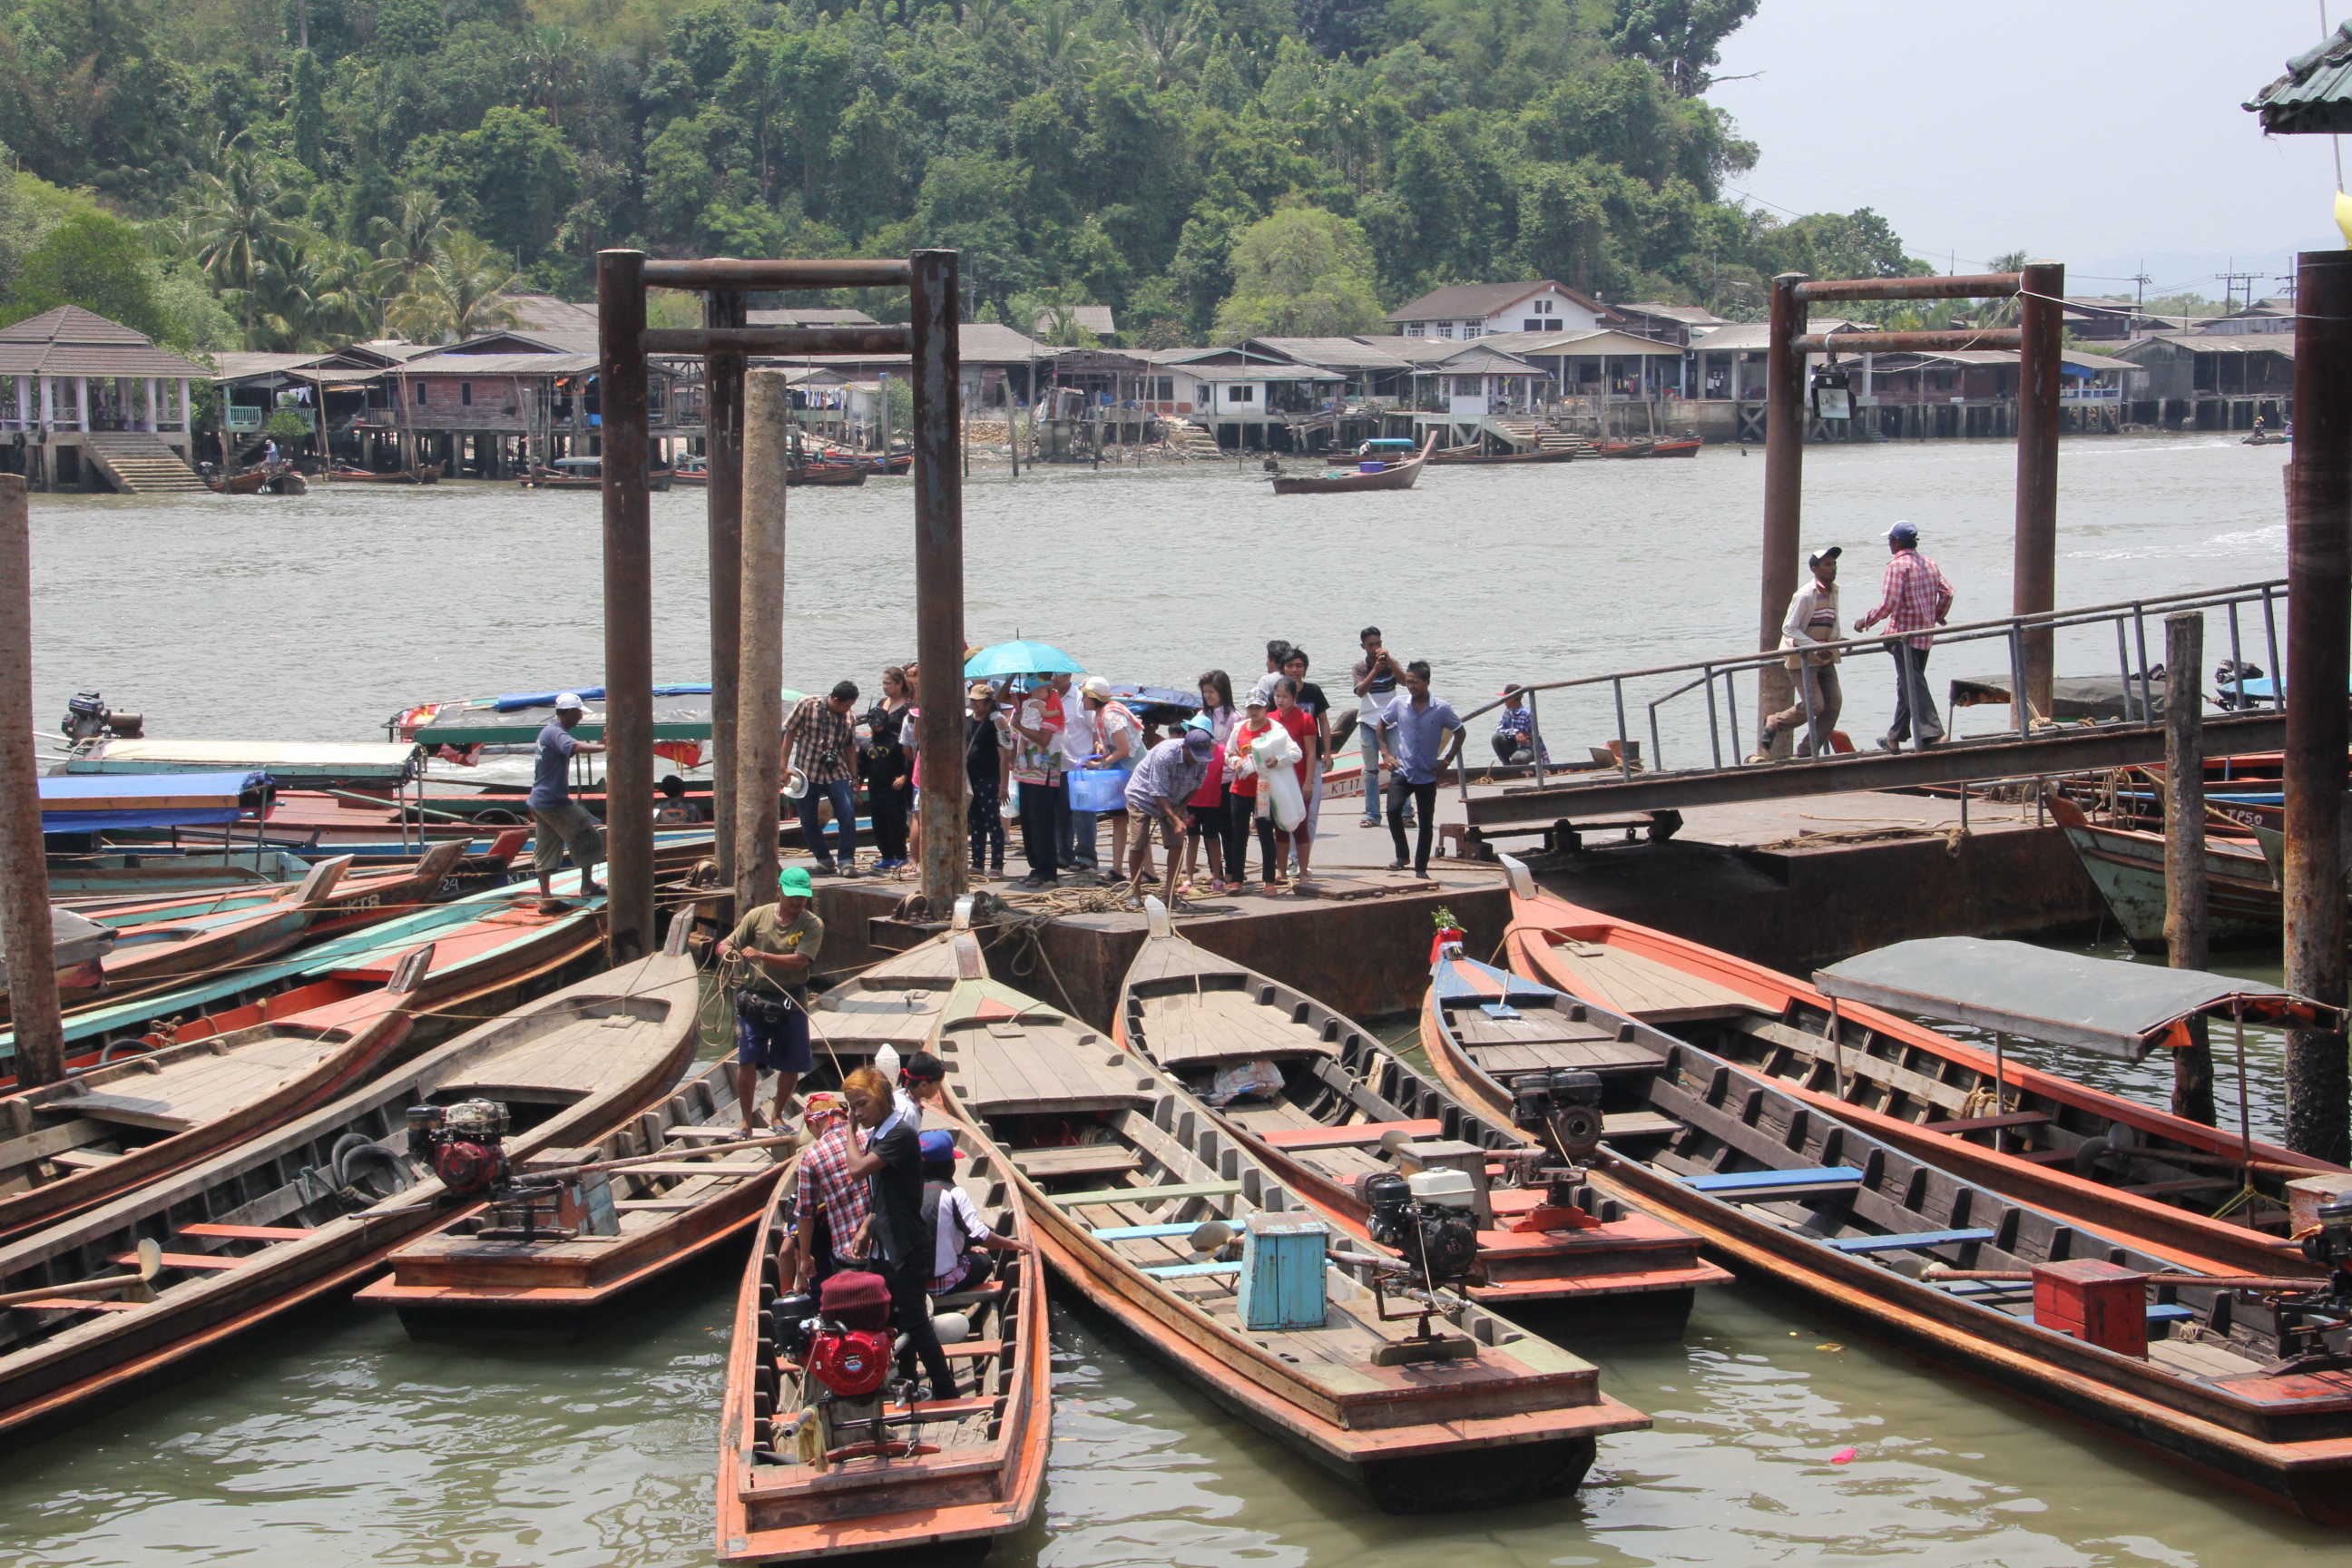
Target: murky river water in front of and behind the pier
335	1440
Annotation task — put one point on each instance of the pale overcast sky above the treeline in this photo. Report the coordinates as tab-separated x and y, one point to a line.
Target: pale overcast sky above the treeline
2092	133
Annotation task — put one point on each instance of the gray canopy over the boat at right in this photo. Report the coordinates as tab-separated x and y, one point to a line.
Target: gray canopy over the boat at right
2064	998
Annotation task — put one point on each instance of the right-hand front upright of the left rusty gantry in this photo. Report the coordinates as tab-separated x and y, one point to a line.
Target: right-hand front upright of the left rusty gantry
940	577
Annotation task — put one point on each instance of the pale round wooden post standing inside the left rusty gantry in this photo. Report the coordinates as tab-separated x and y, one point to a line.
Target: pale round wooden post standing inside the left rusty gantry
768	434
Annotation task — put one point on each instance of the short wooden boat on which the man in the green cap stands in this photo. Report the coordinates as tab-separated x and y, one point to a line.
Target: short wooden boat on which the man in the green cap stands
617	1231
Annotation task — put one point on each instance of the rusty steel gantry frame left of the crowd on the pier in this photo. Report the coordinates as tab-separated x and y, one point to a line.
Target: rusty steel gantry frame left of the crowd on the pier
930	340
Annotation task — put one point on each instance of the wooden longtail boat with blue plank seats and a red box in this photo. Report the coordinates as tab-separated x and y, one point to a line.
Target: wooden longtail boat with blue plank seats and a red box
2240	1383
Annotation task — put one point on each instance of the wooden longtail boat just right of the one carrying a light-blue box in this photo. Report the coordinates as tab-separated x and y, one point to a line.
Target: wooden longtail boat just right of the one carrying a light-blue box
1344	1094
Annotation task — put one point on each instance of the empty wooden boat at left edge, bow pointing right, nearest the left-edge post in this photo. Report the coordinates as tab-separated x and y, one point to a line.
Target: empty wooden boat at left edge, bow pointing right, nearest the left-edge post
86	1139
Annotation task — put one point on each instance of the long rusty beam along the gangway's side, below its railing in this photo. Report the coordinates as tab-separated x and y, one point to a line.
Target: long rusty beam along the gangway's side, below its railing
2066	751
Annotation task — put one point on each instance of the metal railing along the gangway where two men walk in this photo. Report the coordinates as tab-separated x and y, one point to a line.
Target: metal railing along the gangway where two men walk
2130	619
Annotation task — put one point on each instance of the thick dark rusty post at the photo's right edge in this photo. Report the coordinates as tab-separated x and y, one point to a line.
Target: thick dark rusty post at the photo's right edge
2318	634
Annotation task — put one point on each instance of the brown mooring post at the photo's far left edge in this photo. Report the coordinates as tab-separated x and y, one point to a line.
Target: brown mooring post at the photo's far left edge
25	869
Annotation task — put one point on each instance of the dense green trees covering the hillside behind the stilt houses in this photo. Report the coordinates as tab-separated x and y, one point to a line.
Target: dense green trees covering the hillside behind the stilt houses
1107	152
